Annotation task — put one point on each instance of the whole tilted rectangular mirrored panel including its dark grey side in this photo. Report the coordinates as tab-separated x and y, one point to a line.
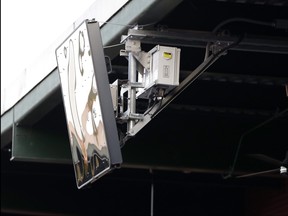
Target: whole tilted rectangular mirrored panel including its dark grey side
88	105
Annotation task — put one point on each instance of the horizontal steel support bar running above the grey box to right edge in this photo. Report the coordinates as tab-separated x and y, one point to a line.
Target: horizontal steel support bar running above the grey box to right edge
200	39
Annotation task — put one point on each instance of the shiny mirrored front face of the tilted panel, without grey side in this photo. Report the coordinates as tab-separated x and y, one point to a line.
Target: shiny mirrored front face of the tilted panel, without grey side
82	106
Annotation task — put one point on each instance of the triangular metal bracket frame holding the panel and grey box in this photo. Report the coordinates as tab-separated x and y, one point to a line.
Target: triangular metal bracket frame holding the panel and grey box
139	36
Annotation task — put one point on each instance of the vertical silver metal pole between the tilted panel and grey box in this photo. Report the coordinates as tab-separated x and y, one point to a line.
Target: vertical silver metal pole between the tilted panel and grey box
132	65
